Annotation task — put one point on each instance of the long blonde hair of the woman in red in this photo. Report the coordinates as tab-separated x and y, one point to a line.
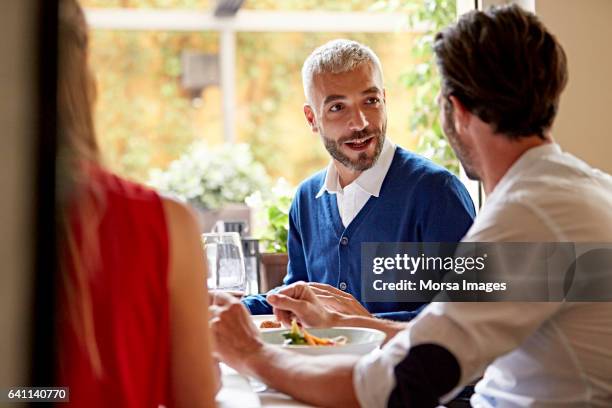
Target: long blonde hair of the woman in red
80	201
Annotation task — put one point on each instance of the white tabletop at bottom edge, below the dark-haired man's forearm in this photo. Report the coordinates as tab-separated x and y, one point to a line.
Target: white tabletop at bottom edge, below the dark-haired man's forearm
237	392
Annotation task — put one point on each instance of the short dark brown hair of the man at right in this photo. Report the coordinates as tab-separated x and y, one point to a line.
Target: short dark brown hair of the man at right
505	67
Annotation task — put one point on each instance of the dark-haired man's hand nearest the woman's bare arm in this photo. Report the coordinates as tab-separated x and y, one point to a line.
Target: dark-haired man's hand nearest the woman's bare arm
235	334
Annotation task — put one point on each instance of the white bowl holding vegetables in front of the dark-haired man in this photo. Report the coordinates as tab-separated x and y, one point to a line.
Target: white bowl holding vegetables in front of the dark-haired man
360	340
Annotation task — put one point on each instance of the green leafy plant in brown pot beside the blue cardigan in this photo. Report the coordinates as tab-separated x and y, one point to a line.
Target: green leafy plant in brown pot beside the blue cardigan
272	230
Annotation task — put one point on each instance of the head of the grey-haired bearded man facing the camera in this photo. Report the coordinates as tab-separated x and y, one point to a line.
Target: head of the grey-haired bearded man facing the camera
345	102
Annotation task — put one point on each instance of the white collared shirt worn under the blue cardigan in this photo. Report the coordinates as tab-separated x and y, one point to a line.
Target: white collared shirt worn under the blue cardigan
354	196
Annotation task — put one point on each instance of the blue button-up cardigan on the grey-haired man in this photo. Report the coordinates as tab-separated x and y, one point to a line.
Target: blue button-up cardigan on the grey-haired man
418	202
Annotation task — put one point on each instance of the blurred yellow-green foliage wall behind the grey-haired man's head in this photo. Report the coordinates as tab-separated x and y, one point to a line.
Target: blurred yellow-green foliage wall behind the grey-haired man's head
150	111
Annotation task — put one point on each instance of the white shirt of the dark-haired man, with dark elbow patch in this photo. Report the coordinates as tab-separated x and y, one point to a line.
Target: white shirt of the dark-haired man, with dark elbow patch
555	354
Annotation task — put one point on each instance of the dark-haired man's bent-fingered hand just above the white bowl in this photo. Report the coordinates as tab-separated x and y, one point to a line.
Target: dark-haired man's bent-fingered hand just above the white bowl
298	300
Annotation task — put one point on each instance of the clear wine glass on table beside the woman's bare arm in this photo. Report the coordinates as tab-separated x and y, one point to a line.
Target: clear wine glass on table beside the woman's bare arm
226	270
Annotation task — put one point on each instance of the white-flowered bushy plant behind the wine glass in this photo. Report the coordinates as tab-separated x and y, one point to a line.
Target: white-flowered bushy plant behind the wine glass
215	180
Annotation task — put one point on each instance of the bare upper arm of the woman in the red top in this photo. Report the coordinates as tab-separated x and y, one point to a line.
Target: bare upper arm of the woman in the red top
194	379
